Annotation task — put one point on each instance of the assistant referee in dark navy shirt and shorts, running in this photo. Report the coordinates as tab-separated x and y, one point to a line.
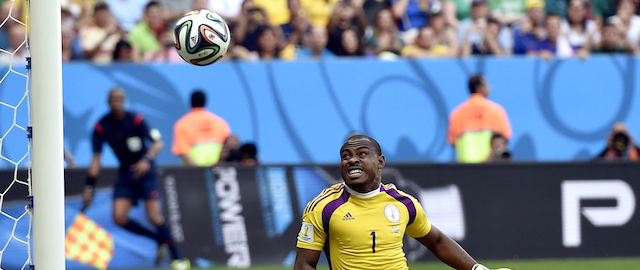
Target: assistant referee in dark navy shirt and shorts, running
127	133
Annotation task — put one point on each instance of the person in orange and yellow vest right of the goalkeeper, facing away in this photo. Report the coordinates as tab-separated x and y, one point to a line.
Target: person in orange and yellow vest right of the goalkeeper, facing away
472	123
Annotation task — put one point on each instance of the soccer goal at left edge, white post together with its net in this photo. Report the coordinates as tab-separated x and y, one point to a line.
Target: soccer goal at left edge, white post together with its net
31	182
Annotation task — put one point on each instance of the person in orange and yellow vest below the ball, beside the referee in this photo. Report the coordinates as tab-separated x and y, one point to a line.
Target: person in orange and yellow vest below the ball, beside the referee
198	136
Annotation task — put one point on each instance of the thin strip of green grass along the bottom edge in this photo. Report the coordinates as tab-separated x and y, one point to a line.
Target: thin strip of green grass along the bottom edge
555	264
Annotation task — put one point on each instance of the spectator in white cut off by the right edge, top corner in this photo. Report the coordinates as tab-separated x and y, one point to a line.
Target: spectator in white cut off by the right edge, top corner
627	21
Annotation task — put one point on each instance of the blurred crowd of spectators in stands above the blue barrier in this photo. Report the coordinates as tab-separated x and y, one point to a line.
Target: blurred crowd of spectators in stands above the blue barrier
104	31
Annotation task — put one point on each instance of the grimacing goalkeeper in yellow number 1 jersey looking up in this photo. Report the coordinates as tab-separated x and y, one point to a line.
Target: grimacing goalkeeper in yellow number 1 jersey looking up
360	223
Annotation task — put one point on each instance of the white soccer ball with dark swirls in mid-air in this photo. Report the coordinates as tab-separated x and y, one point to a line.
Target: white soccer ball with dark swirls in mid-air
201	37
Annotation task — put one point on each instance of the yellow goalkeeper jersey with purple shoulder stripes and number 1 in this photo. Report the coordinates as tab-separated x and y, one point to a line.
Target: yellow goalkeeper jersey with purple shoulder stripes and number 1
362	230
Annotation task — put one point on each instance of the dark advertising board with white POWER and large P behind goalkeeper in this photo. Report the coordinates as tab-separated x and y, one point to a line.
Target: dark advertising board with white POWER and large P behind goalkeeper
241	216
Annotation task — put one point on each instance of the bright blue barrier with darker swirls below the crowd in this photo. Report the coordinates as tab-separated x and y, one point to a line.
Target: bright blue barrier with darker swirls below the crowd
300	112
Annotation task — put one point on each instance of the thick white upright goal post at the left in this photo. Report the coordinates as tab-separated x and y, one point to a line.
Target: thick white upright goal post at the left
47	171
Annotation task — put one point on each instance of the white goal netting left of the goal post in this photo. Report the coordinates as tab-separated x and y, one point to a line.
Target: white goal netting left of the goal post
15	208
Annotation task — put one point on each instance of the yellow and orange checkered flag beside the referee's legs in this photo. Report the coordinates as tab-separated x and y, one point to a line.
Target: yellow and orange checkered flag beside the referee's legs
88	243
